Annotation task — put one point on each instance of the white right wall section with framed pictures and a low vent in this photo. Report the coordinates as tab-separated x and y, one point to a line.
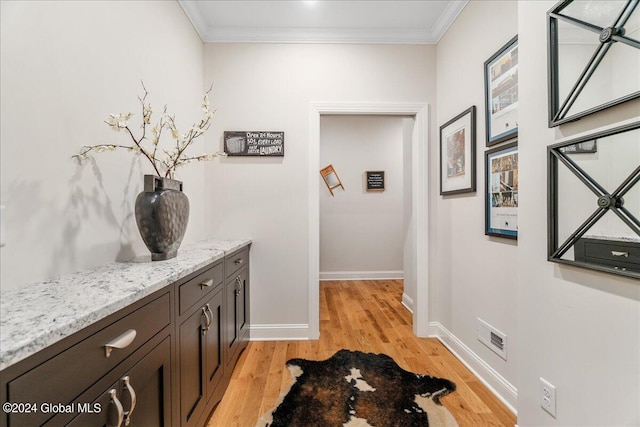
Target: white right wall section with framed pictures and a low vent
475	275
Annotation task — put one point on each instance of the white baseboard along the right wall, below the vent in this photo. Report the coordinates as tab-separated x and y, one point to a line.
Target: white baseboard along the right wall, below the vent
503	389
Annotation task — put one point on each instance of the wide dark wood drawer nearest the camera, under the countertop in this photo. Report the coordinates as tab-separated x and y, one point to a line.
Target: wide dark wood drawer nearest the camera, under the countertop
63	377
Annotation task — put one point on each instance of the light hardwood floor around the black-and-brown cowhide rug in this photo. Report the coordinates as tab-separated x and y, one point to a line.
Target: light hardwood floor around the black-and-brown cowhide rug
357	315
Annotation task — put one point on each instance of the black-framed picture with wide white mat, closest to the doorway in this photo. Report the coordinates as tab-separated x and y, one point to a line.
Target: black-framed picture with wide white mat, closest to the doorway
458	154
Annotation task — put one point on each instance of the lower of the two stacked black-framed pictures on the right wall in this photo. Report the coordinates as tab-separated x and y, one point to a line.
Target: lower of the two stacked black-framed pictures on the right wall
501	195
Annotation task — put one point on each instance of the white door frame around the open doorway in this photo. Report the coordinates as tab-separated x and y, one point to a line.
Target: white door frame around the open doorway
420	200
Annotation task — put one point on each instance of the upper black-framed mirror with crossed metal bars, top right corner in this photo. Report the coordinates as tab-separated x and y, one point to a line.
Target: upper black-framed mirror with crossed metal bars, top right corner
594	57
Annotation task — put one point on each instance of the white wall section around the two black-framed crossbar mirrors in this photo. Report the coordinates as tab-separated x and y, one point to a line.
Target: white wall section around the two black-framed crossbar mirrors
577	328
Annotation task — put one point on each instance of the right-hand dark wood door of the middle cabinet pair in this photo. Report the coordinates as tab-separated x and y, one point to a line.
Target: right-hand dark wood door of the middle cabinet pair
214	365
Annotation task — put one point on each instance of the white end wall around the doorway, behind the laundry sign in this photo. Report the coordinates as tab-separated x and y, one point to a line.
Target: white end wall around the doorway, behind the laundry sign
270	87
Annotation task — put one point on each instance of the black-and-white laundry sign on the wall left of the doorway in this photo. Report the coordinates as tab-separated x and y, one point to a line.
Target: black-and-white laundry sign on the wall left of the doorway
254	143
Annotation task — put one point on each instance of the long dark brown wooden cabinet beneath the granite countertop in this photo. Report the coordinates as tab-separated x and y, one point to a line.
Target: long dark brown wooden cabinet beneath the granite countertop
174	350
